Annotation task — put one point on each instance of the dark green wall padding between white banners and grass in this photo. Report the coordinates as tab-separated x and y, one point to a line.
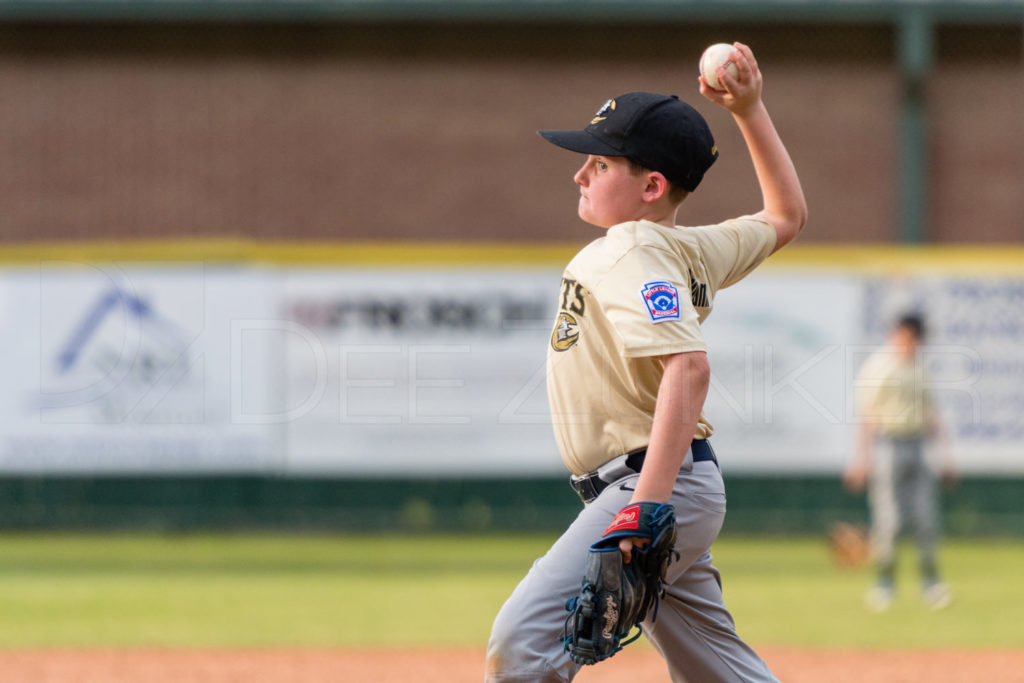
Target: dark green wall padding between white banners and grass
797	504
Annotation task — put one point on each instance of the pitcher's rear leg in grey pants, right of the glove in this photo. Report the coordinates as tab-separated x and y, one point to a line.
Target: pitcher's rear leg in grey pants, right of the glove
694	631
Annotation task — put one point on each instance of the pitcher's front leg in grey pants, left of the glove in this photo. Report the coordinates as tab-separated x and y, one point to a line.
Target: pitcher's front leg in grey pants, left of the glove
525	644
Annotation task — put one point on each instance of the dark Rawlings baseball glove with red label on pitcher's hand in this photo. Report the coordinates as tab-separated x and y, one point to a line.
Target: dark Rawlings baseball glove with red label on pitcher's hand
616	597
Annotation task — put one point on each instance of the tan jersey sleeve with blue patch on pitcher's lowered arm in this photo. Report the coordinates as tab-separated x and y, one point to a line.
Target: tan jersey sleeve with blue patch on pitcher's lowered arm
647	300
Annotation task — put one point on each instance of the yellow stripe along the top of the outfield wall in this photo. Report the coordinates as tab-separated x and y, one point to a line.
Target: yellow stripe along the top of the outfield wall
973	260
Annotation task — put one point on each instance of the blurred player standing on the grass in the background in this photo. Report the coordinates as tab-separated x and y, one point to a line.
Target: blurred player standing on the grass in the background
898	417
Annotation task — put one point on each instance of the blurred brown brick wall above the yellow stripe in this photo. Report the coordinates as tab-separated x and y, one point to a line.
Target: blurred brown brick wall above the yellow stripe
426	133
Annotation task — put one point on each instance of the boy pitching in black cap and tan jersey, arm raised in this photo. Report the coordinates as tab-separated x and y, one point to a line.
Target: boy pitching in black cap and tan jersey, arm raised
628	372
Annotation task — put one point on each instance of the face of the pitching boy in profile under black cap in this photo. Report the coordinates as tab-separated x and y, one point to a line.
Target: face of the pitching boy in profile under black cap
610	193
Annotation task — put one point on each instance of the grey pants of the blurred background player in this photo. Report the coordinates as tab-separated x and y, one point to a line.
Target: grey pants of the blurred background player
904	490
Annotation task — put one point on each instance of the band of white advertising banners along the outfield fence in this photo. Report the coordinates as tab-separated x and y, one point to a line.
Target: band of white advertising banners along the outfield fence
441	372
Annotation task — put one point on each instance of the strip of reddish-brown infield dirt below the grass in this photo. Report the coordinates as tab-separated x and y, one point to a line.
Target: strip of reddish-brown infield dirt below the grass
455	666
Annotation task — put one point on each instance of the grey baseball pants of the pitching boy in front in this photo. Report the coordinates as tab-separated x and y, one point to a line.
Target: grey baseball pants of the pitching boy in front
694	632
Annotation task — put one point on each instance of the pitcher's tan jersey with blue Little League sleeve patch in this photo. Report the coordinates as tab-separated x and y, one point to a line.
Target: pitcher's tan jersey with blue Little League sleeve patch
639	293
